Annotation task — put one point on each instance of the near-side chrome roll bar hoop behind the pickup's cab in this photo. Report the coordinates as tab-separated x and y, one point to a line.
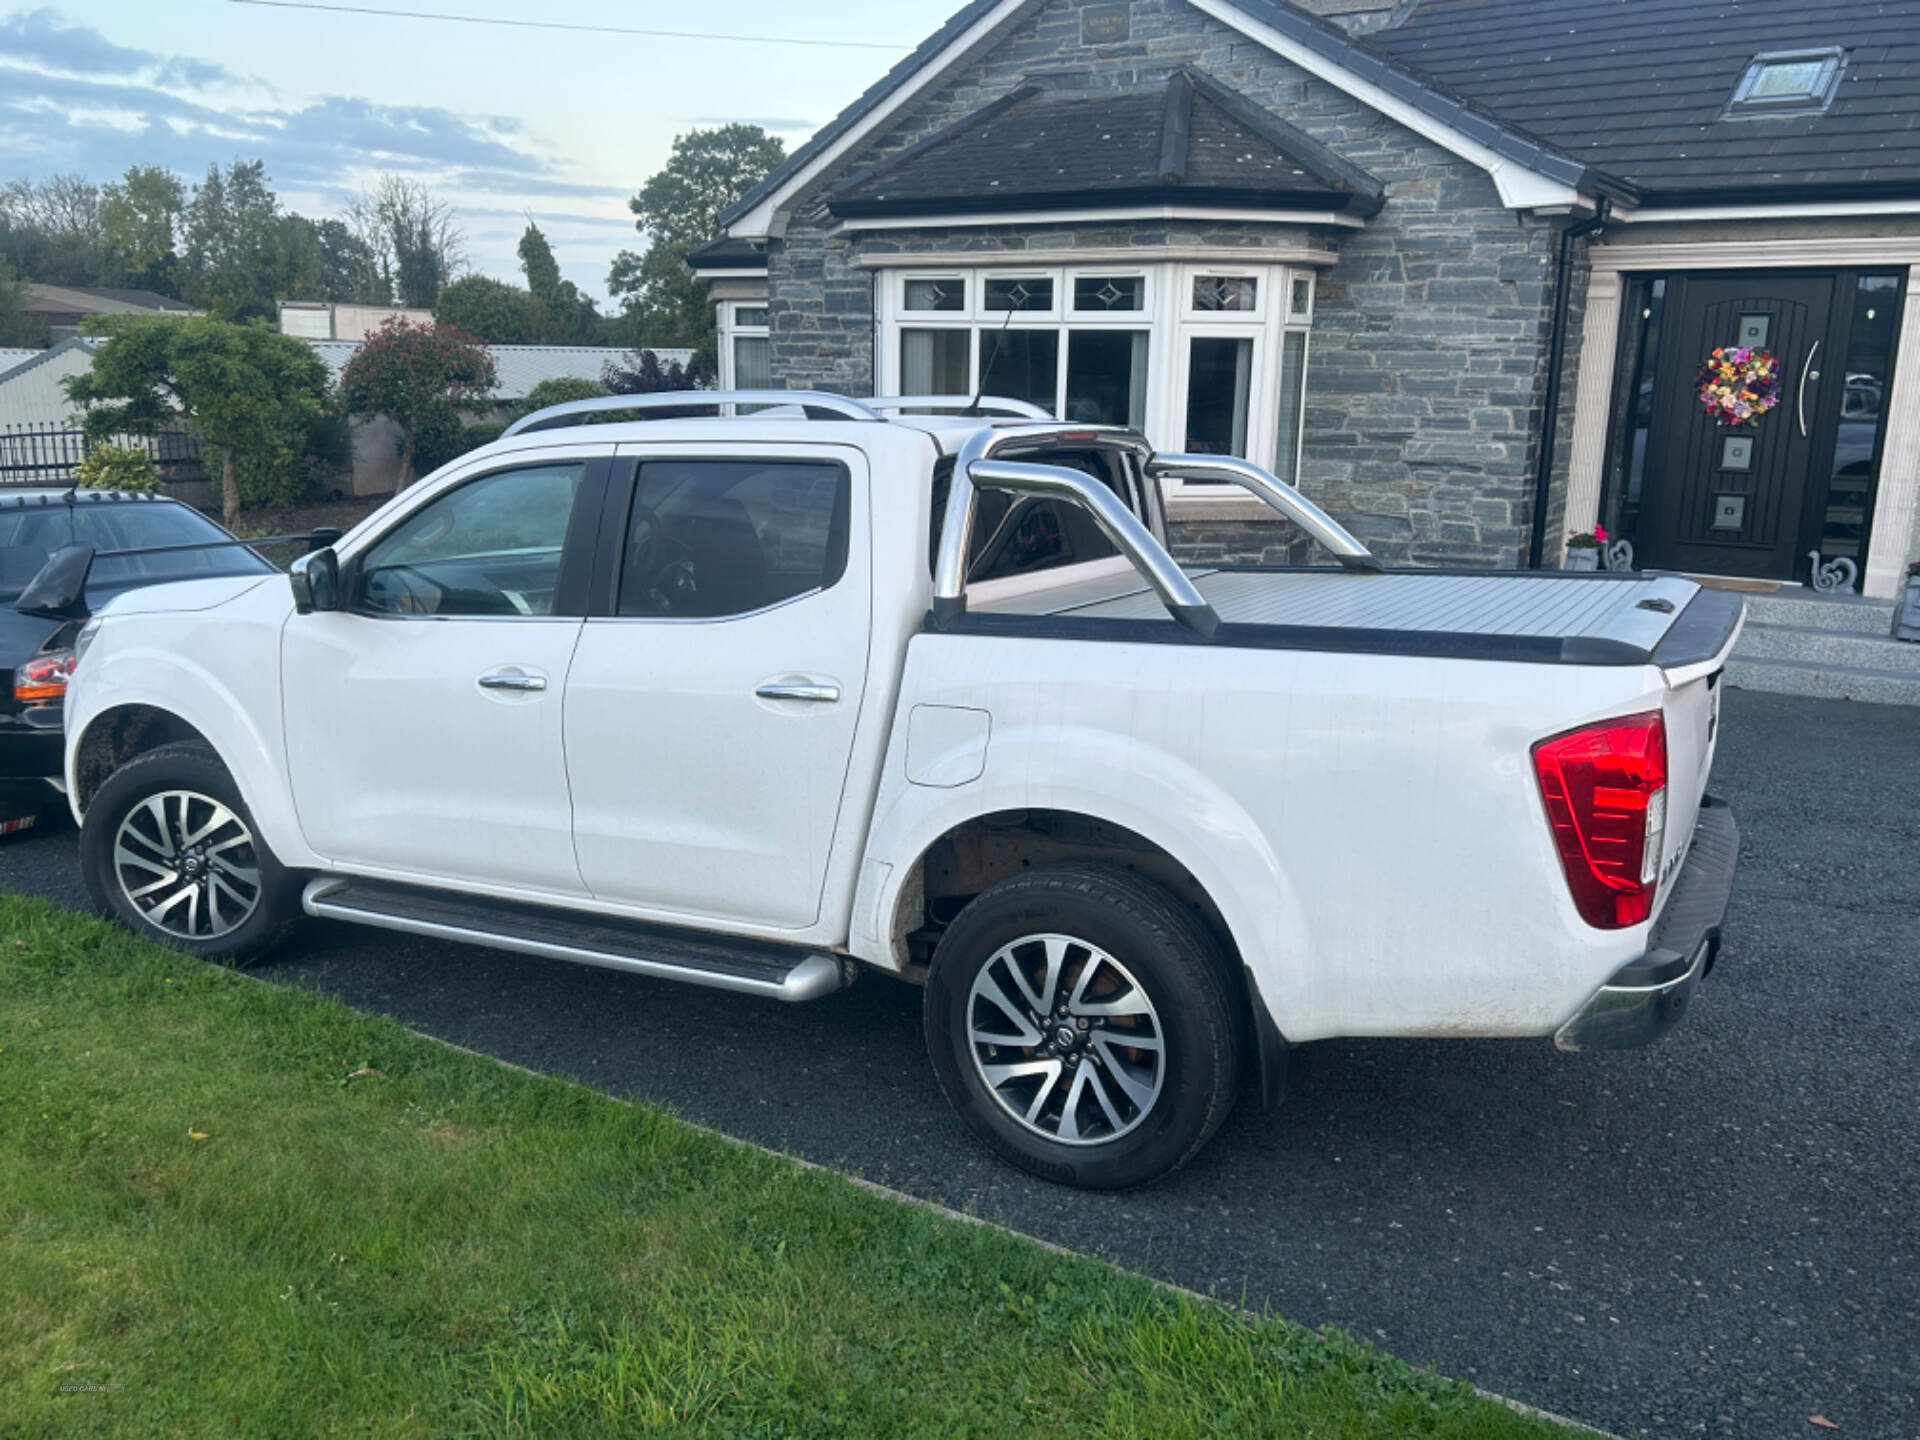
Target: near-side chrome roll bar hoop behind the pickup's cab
976	468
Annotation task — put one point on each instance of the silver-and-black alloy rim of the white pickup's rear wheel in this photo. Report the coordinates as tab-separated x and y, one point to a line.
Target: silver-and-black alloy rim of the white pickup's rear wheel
1067	1040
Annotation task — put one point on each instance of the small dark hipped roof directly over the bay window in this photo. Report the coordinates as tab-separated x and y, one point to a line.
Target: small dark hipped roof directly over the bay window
1189	141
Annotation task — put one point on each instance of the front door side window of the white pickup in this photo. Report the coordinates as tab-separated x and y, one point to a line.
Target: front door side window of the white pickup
489	548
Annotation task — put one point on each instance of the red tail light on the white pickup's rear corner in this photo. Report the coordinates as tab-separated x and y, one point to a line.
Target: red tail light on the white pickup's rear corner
1606	796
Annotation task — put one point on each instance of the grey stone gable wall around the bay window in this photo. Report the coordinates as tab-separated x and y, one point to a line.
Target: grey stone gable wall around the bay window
1428	360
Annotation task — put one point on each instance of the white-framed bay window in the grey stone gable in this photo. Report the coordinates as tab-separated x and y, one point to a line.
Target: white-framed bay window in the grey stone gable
1199	358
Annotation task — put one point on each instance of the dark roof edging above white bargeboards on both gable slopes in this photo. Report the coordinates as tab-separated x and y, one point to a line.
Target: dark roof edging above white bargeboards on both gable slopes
1318	36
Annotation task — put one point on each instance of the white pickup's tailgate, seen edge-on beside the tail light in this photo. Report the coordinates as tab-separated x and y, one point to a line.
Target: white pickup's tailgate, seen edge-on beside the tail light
1692	658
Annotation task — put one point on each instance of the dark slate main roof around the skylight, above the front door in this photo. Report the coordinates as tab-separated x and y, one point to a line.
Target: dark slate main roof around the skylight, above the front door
1639	89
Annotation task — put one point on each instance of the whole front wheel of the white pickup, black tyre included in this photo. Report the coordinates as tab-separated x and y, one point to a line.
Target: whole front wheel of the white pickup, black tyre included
170	850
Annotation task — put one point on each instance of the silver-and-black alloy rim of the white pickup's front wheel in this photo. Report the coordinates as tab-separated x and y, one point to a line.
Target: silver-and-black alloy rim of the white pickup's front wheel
187	865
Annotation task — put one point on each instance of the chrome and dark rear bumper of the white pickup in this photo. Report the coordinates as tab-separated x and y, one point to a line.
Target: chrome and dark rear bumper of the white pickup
1646	997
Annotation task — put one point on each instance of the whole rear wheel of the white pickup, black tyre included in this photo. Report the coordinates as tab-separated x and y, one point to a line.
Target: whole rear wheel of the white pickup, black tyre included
1086	1026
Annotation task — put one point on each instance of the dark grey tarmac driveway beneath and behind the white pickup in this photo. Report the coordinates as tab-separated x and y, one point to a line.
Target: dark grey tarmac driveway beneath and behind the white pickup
1710	1237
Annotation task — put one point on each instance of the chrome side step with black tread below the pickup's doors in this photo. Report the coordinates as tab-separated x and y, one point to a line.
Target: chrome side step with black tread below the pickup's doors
744	967
